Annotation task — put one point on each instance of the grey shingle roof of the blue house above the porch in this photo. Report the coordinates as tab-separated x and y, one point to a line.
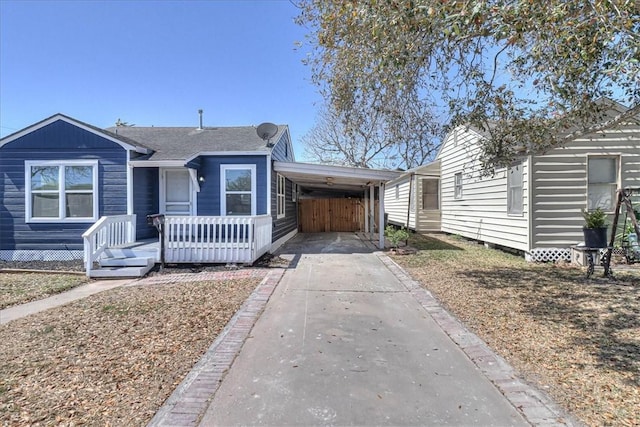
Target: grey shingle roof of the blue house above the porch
180	143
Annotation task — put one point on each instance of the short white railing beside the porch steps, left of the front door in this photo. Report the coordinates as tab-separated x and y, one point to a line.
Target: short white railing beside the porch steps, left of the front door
108	232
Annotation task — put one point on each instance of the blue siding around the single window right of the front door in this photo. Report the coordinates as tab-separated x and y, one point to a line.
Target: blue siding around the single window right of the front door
209	195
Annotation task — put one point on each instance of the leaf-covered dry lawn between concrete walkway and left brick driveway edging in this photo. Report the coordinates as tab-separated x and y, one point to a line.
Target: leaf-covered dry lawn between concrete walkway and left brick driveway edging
112	358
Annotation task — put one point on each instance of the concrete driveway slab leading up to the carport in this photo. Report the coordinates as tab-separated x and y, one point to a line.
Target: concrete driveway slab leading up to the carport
343	342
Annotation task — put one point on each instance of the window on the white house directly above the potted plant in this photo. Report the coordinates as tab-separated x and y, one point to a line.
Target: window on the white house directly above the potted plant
602	182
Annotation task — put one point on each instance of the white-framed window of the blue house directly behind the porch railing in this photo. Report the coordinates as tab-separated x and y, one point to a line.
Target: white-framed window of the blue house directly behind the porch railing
238	190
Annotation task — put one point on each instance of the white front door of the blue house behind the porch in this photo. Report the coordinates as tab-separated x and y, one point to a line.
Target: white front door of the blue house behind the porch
176	192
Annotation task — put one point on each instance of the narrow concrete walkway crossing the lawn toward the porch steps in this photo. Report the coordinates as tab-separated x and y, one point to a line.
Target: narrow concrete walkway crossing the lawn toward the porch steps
82	291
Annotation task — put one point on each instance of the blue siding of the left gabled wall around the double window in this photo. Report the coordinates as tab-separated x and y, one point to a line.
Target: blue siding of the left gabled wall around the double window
57	141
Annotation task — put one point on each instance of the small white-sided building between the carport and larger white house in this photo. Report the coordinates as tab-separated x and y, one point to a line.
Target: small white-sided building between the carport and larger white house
413	199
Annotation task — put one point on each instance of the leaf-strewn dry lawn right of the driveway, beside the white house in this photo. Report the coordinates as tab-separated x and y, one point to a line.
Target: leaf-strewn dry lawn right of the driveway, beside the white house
577	339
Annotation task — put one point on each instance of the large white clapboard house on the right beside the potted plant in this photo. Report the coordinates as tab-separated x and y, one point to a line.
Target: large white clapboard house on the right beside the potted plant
535	206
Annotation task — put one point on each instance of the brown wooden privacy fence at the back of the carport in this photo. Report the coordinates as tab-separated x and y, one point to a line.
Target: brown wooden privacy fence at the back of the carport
324	215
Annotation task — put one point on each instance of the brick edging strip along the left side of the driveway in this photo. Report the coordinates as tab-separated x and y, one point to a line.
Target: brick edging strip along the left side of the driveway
191	398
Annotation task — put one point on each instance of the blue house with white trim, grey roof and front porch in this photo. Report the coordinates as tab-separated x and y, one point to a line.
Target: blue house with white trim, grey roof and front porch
64	182
